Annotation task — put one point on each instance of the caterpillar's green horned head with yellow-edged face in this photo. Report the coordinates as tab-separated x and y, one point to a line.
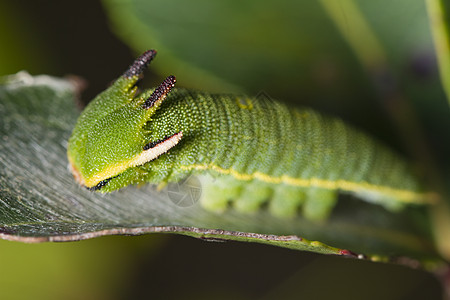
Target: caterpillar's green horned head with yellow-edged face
109	137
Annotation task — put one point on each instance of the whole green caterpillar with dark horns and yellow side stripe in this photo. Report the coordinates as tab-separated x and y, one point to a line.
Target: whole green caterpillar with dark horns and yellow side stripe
259	150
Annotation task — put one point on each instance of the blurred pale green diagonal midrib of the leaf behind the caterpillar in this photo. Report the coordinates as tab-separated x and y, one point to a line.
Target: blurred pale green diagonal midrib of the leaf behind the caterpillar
370	52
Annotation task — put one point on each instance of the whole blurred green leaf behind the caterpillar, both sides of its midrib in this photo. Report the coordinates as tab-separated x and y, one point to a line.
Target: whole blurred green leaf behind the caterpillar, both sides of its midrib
294	51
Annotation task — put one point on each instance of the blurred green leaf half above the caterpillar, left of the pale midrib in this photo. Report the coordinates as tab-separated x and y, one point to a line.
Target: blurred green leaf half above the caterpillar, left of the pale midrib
228	46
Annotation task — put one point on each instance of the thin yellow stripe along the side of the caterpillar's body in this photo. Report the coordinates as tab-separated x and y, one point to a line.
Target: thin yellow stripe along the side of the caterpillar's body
401	195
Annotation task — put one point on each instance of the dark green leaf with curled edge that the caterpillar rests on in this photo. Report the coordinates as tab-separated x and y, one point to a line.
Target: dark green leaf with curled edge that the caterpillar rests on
40	201
